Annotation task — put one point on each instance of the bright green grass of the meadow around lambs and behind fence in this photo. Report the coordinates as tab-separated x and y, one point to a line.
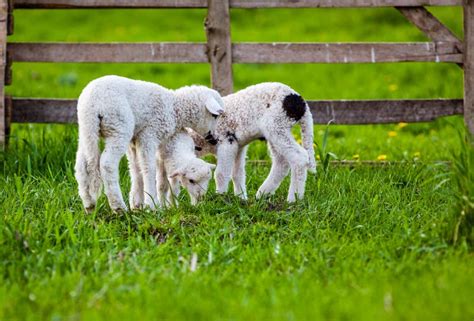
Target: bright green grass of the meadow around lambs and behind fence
365	244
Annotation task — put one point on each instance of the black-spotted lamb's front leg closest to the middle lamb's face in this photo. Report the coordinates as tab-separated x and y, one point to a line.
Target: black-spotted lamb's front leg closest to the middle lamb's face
226	152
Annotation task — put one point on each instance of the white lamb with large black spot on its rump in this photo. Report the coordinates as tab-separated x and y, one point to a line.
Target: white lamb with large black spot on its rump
264	111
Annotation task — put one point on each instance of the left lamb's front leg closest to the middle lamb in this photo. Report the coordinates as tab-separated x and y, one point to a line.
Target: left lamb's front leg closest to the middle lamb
146	151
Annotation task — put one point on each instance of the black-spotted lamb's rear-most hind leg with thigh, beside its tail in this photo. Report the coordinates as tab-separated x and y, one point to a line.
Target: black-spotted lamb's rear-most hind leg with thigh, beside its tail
284	144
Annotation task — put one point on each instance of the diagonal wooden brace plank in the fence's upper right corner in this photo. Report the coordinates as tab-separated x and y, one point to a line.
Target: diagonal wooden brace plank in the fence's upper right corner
429	25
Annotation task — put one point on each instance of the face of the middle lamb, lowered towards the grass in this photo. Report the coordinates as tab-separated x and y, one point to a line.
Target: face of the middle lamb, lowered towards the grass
195	177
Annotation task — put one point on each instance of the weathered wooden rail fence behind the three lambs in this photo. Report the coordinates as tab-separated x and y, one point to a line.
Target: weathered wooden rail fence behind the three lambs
221	53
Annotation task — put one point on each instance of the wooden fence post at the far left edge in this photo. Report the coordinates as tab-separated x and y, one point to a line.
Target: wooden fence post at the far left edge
3	61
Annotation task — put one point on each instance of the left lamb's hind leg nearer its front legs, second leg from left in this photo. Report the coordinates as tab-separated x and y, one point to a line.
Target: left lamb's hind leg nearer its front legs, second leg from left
114	149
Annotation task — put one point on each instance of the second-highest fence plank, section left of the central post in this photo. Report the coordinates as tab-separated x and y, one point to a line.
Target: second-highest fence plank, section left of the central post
108	52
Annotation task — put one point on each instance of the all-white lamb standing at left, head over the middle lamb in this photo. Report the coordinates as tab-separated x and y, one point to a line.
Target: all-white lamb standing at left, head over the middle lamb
138	116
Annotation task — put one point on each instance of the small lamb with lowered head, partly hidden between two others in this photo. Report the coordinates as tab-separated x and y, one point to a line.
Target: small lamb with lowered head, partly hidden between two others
179	166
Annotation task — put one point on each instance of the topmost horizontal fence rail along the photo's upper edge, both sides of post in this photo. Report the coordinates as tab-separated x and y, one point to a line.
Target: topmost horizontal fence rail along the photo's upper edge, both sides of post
55	4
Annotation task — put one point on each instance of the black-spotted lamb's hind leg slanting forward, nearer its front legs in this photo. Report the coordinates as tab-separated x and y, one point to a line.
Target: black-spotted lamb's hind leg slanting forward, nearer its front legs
278	172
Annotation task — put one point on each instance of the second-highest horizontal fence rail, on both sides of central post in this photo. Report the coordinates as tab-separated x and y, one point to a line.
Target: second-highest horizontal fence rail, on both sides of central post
241	52
